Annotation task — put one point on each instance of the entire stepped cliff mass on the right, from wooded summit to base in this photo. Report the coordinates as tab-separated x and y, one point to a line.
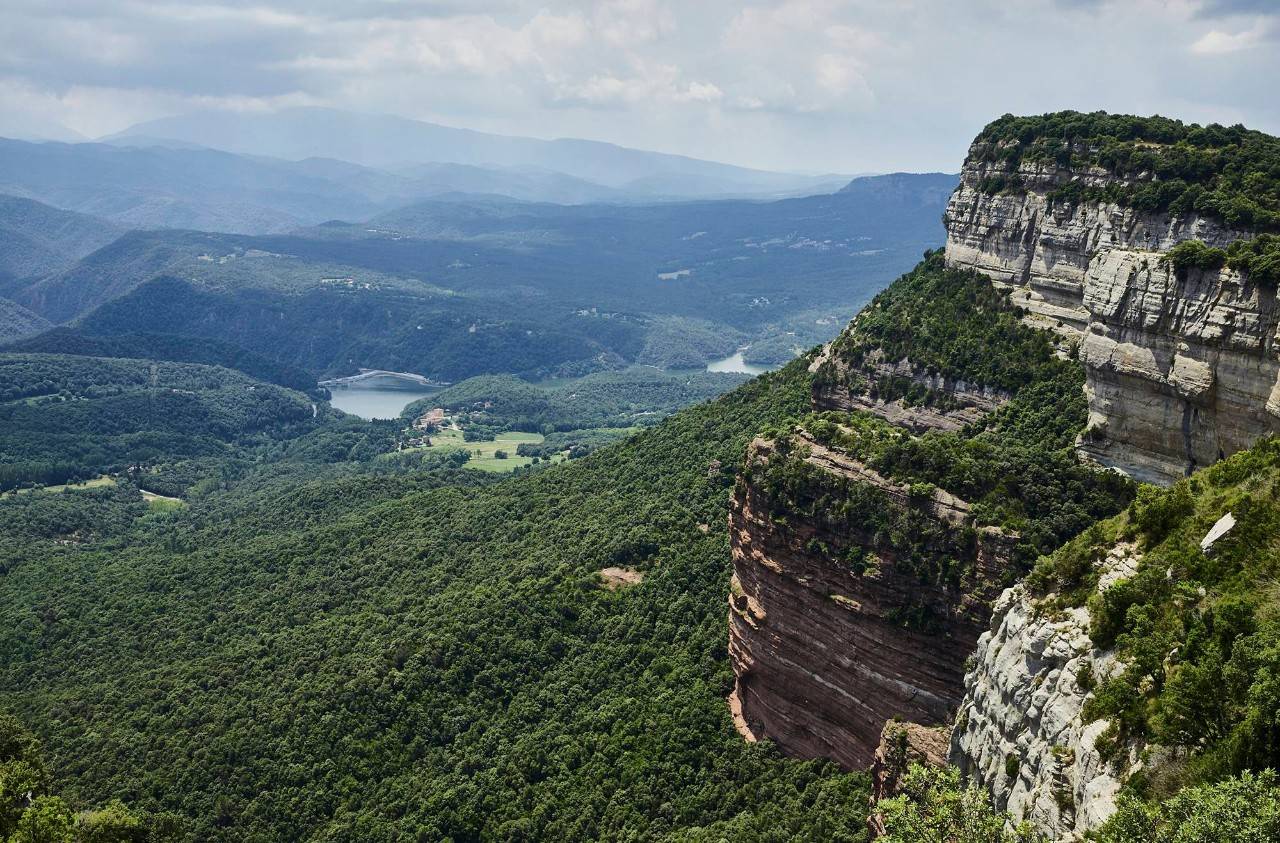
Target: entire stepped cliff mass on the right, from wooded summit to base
1107	299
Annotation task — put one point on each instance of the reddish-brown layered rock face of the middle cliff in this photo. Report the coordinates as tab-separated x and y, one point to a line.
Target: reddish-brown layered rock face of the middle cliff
825	649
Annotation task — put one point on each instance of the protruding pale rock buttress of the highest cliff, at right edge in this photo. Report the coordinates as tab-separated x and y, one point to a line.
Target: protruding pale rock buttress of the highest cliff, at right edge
1183	368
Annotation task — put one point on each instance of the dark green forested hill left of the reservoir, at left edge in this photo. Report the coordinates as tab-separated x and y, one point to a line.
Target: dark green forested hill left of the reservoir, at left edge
72	419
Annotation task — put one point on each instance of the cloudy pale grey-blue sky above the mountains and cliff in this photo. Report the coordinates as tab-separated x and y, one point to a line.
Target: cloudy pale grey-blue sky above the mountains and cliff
816	86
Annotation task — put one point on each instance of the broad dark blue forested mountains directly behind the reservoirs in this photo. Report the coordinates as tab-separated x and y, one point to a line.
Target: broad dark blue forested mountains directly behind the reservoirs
458	288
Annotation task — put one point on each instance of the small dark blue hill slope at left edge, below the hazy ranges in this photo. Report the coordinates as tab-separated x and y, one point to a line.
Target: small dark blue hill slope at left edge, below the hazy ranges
38	240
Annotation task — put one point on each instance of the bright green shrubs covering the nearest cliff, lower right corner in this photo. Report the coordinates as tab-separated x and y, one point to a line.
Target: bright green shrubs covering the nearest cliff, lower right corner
1194	695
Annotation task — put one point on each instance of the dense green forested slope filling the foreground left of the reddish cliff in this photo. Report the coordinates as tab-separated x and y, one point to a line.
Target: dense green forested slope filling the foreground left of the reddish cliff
336	661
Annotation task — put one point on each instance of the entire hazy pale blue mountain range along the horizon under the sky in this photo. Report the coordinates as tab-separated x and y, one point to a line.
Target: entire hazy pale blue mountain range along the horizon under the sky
272	173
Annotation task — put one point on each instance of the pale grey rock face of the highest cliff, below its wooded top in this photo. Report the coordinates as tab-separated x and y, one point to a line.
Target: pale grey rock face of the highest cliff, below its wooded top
1182	368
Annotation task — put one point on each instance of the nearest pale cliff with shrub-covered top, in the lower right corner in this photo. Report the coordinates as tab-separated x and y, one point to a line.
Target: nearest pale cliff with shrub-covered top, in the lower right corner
1144	652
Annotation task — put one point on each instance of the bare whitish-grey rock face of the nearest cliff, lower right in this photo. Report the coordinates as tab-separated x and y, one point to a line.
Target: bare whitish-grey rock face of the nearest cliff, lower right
1020	731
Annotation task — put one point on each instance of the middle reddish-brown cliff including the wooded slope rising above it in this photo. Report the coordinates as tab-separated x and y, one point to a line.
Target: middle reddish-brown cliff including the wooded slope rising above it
871	538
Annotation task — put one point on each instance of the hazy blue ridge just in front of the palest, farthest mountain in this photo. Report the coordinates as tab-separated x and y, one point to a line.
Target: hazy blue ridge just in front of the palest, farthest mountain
184	186
